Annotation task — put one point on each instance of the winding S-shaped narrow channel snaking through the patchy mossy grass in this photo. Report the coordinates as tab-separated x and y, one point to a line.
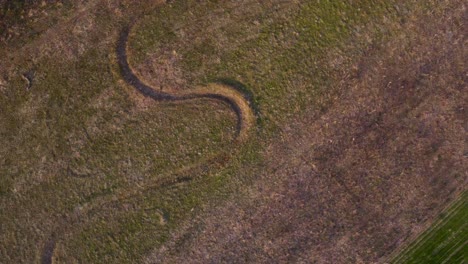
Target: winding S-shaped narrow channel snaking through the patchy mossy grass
237	101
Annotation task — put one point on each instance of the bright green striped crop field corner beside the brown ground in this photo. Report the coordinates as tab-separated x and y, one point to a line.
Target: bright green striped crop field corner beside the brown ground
445	241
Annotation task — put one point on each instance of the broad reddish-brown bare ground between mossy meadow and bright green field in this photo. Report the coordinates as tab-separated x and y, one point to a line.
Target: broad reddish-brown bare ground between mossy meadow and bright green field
353	183
